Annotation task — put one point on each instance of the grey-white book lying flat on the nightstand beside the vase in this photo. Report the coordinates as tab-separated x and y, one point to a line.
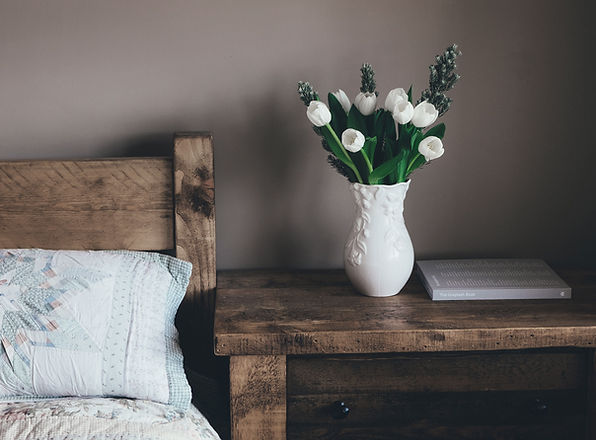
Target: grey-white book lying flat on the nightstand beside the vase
491	279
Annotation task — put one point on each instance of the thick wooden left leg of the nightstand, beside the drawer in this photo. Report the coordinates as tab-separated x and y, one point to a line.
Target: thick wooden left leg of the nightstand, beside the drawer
258	397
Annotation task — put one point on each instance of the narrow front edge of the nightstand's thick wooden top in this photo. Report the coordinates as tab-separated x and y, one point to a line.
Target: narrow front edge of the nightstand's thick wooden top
383	341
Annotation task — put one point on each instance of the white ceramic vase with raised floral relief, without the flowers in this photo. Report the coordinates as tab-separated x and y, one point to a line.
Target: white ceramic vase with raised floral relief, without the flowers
379	256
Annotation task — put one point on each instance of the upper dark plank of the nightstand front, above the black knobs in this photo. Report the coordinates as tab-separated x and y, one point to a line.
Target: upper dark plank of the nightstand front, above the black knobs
500	371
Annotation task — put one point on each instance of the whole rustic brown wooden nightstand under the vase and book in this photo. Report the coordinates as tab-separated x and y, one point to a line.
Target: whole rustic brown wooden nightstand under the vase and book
301	343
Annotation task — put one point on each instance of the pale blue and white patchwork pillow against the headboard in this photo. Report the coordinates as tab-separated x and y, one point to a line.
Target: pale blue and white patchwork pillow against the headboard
91	323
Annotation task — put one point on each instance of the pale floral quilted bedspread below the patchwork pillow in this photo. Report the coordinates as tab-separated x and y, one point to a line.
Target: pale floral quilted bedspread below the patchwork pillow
100	419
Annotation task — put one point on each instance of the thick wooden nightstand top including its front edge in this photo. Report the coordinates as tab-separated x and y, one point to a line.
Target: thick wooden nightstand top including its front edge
291	313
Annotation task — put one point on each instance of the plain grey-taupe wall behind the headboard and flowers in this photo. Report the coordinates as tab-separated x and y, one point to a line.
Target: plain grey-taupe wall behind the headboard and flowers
111	78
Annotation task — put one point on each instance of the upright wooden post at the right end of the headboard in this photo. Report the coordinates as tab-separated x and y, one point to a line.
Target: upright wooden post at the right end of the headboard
194	224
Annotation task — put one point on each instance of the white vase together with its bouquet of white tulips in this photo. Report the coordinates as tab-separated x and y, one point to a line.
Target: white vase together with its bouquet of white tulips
377	149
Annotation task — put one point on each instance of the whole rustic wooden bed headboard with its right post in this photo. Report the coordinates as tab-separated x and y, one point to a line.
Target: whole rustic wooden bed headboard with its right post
152	204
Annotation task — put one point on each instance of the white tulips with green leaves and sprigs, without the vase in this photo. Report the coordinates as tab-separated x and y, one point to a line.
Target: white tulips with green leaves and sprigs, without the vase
383	145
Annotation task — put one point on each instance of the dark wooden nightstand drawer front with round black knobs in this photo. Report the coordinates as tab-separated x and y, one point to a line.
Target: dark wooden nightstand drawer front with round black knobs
479	395
